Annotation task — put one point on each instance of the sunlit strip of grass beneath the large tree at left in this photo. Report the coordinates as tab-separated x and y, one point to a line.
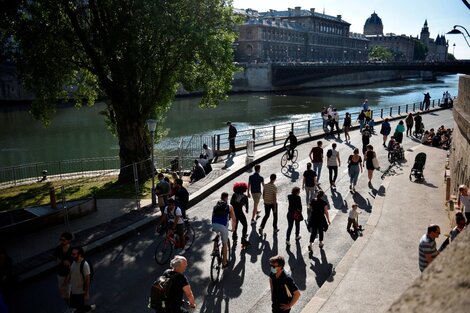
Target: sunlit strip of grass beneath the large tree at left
35	194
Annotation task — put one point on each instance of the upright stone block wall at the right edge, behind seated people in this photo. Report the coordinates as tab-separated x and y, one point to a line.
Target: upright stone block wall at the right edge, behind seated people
460	153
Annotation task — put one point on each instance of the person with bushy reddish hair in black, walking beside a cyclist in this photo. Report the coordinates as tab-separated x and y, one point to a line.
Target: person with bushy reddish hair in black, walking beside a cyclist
238	201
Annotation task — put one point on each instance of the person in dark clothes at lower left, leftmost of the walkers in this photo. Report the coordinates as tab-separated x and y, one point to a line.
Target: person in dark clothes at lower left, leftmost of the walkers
63	258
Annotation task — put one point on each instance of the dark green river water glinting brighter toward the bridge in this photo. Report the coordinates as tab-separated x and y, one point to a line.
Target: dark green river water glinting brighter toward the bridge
81	133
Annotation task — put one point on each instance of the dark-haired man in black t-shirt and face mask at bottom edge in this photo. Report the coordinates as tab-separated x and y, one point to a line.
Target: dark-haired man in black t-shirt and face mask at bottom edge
284	291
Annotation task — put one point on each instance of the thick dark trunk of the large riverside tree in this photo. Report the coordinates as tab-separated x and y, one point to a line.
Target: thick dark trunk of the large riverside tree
134	147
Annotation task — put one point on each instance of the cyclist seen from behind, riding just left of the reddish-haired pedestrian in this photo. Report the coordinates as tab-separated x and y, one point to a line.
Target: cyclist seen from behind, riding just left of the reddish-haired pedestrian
221	213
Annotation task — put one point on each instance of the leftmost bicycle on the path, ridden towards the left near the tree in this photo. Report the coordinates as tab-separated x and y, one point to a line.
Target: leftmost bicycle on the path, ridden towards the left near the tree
164	249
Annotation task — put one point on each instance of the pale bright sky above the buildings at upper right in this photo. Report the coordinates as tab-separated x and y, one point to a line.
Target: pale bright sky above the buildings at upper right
398	16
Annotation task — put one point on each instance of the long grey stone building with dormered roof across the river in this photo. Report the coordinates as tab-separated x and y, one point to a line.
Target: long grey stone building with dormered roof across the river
297	35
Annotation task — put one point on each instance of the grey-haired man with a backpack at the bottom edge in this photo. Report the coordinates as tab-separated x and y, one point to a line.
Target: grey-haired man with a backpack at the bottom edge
179	286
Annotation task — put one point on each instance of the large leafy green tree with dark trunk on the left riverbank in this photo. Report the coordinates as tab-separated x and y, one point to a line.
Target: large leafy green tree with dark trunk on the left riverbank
134	52
